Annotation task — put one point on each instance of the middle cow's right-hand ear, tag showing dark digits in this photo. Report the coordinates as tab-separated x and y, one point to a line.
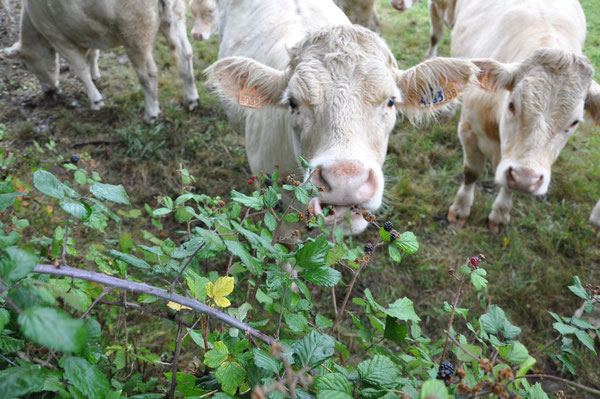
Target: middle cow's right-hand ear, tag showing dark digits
433	83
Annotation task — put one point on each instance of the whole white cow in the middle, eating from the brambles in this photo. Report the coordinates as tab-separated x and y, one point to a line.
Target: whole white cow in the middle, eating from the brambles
302	80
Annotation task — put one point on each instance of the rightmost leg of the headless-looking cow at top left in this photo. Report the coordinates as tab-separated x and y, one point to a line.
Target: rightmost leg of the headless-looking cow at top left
174	29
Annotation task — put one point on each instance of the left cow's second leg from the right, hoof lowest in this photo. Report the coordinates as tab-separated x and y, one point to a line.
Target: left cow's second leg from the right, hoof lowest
145	68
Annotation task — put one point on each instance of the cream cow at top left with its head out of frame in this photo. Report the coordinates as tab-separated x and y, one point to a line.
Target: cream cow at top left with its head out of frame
74	29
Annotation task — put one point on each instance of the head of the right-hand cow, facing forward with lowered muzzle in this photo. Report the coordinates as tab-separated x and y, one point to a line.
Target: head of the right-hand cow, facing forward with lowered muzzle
547	95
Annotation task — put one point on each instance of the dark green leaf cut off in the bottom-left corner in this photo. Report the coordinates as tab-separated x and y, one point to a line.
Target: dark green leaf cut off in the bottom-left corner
20	381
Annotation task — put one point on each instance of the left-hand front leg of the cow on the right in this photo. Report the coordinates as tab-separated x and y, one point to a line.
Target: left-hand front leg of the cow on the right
473	162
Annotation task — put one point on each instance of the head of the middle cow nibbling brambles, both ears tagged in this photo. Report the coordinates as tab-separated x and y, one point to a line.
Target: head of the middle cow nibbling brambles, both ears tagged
338	97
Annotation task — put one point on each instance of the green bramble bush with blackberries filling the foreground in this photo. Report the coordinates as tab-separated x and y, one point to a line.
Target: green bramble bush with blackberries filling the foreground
244	291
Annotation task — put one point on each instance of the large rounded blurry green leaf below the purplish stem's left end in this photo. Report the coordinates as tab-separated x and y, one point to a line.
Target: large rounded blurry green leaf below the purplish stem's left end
53	328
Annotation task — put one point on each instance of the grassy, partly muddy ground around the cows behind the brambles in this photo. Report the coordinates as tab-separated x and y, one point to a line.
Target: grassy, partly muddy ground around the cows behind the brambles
530	265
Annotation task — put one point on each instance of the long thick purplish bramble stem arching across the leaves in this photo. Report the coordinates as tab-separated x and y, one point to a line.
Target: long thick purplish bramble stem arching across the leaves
154	291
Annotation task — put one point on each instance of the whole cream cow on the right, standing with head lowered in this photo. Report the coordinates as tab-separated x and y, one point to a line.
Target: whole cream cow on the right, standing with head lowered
533	96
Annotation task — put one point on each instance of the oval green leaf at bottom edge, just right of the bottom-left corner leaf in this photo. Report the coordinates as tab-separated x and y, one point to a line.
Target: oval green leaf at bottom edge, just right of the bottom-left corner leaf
86	378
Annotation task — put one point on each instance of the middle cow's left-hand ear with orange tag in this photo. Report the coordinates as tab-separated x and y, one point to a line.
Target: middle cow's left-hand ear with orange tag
246	82
